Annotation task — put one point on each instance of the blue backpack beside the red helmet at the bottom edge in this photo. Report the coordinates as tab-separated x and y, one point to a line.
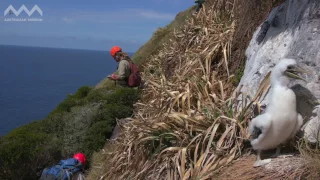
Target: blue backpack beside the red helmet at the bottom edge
64	170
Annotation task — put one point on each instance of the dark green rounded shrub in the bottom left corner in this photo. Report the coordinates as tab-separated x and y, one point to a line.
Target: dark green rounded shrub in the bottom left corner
25	151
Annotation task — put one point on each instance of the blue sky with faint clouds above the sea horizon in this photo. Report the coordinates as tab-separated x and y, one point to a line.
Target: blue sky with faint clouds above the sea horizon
88	24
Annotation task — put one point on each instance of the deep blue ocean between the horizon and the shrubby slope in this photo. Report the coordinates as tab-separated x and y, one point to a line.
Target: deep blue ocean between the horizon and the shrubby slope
34	80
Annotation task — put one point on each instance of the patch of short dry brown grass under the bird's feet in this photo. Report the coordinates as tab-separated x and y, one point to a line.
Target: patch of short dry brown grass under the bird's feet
303	166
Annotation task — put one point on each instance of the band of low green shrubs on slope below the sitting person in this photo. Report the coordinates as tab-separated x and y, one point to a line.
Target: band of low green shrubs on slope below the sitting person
82	122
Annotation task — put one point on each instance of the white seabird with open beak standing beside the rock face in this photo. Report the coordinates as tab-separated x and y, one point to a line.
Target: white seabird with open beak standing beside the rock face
281	121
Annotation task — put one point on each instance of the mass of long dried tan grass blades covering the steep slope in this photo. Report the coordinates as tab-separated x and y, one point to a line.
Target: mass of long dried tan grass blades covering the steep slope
188	122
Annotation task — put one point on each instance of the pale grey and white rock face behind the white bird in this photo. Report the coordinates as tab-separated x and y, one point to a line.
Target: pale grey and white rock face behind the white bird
292	30
